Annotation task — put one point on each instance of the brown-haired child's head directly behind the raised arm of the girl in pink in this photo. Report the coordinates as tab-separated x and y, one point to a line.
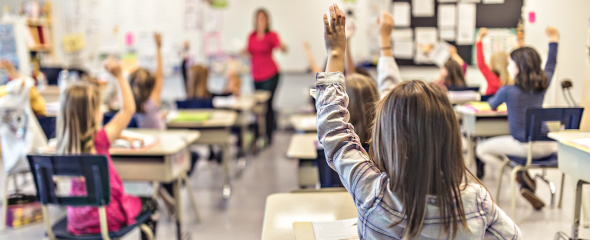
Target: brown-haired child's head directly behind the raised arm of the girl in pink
142	84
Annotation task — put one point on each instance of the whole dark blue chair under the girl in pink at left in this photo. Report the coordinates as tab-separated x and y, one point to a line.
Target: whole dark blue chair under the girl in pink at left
94	169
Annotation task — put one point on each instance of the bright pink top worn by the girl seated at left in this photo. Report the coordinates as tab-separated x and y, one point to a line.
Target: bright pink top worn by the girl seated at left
121	211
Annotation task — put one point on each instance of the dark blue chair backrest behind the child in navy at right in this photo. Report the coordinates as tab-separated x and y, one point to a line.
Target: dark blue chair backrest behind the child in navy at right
536	117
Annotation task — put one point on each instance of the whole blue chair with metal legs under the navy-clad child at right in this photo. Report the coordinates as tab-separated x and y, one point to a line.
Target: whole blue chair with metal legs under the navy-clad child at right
535	120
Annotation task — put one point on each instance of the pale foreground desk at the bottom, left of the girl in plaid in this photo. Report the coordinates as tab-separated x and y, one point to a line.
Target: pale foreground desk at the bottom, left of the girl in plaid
283	209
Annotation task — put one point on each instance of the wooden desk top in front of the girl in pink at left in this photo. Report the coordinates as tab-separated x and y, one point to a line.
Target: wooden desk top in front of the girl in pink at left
169	142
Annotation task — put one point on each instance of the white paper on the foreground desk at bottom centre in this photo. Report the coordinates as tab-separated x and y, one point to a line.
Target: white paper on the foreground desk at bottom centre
336	230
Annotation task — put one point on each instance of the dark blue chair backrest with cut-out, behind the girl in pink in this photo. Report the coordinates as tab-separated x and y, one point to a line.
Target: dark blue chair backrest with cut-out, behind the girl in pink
94	168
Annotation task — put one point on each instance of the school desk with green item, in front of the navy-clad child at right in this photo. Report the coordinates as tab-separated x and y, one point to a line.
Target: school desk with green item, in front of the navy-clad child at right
481	124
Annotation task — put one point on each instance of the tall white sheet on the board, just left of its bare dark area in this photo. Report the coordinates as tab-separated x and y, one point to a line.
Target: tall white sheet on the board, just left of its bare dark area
466	23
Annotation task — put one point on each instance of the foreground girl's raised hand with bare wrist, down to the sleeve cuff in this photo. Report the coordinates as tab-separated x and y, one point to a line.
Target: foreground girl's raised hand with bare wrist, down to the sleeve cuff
335	39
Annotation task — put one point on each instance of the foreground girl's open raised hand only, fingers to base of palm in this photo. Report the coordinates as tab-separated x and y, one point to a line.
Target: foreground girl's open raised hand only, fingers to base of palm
334	31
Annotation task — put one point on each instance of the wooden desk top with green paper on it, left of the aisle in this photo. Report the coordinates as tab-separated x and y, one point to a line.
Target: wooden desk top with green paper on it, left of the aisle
219	119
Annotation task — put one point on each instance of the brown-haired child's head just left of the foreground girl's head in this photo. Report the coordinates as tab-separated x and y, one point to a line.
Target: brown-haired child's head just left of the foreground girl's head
363	95
